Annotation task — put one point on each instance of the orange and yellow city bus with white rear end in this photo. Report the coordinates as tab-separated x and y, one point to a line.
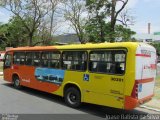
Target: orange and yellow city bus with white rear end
119	75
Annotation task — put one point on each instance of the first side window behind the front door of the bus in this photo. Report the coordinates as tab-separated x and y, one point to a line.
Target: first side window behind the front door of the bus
19	58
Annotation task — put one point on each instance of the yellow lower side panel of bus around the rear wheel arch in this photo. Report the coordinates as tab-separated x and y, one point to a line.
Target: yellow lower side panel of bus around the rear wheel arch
100	89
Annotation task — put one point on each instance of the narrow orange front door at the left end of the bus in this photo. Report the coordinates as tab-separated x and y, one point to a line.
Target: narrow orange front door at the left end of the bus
7	66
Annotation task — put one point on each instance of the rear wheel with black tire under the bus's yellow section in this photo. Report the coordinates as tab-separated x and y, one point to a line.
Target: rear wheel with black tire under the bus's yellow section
72	97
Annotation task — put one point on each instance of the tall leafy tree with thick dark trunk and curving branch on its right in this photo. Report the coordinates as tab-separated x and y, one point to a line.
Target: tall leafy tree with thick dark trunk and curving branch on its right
103	10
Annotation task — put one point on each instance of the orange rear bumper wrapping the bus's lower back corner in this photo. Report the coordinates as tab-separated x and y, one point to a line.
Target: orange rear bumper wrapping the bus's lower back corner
131	103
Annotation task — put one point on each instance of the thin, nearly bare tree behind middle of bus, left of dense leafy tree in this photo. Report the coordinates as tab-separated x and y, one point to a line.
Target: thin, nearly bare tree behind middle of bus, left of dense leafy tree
74	12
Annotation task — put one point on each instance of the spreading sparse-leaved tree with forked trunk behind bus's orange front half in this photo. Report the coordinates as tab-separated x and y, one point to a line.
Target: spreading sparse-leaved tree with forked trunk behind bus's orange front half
29	12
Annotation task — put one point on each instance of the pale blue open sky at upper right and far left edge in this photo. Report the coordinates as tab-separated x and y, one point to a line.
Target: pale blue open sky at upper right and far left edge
143	11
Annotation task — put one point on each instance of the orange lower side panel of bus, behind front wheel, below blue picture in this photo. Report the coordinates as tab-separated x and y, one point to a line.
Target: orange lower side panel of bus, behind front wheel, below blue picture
28	79
